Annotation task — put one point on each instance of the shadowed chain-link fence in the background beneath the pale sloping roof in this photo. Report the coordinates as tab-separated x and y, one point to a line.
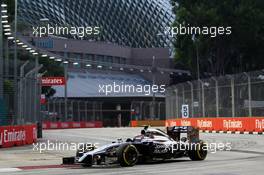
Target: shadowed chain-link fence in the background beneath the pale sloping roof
79	110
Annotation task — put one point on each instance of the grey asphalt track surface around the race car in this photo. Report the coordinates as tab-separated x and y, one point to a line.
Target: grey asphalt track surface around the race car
246	156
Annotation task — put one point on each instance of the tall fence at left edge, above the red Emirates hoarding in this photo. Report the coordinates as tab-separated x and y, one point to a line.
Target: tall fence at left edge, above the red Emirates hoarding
20	100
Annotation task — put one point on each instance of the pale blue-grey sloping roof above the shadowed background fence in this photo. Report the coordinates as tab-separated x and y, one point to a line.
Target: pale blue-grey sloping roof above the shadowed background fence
88	85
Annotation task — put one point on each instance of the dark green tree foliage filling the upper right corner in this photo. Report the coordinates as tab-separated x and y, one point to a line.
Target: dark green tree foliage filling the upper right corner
243	50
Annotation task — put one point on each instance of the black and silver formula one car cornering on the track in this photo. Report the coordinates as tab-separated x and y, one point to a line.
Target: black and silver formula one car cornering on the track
150	145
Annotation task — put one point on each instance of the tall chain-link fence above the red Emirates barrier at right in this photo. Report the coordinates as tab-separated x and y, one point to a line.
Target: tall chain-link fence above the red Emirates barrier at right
239	95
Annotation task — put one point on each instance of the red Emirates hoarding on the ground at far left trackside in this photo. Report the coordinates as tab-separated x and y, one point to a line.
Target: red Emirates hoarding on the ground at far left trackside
17	135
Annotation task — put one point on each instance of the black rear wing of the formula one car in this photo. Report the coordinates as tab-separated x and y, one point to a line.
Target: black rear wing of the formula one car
176	131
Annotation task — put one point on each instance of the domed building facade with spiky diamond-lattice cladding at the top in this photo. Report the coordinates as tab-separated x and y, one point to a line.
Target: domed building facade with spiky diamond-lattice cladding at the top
133	23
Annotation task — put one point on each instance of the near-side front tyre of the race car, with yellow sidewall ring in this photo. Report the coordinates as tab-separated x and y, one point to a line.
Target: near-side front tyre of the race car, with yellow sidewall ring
127	155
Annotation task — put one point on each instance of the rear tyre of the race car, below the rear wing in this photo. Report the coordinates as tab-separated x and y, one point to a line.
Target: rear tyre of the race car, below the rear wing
198	151
